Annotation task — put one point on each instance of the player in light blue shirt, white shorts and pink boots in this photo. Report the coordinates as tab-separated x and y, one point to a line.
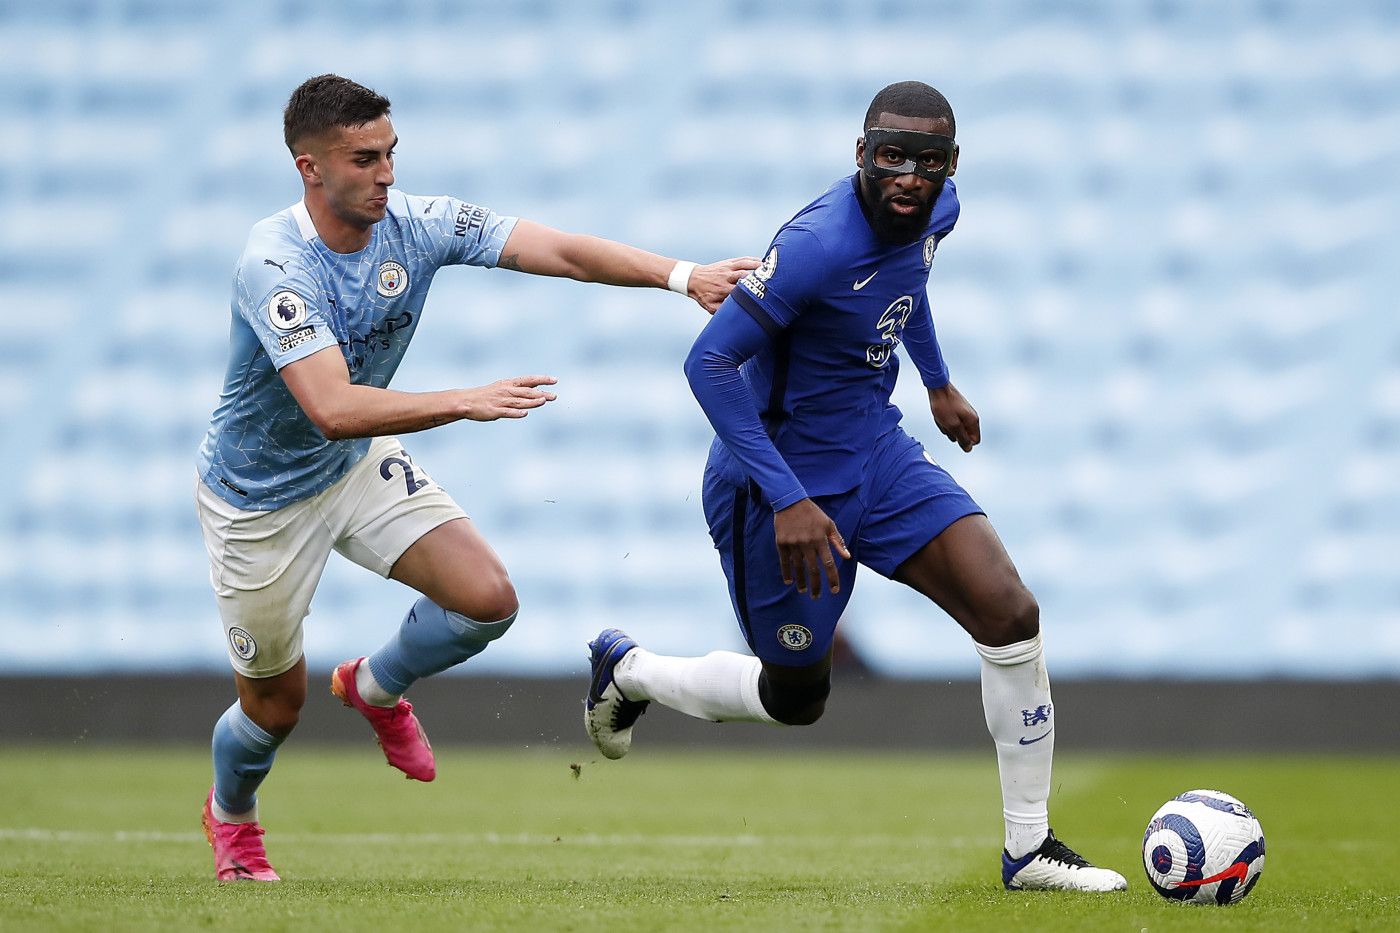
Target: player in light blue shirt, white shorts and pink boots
302	457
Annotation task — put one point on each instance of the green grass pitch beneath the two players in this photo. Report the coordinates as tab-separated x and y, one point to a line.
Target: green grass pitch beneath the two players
559	840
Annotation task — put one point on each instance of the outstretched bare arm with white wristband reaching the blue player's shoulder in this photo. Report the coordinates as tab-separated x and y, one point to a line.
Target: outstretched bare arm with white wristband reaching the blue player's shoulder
551	253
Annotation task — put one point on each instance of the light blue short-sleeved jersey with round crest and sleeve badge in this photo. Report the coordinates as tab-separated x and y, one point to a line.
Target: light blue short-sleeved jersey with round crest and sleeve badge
293	296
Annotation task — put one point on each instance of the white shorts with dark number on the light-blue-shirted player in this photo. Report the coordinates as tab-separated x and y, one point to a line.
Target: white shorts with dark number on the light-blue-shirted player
265	565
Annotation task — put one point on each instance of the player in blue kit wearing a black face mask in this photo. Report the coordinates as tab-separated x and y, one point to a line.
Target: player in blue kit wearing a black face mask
811	474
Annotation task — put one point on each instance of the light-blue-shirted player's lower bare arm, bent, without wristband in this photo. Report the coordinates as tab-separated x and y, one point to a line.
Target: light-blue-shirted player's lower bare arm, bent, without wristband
341	410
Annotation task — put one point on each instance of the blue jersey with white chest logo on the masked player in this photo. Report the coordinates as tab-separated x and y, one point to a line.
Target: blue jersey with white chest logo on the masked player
836	300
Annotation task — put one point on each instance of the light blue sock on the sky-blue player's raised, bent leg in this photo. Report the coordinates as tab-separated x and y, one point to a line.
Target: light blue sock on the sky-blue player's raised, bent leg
429	641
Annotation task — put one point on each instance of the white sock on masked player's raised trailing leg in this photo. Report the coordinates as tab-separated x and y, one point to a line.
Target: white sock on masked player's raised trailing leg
719	687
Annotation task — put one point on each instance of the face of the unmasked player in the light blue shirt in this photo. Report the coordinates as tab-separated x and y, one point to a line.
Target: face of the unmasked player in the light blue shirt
356	170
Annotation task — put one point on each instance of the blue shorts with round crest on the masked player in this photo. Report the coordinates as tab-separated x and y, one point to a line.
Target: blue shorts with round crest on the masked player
905	502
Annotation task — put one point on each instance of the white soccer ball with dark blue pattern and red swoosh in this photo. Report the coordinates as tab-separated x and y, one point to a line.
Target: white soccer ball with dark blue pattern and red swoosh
1203	848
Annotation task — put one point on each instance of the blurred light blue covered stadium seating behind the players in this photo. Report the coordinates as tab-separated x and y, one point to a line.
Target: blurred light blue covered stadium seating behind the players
1171	296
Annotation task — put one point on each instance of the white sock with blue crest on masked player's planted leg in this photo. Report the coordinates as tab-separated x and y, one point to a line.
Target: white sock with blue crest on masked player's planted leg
1016	698
